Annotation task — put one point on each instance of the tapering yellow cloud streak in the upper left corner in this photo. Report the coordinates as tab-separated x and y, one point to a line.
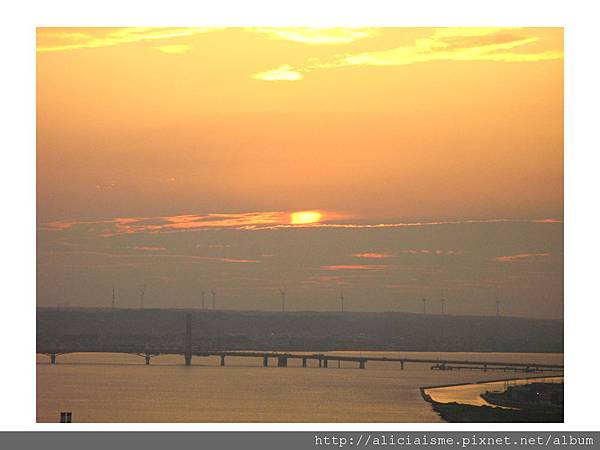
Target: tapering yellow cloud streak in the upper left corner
62	39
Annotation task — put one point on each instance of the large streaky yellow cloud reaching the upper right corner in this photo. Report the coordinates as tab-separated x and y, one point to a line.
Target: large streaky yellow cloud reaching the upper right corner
447	44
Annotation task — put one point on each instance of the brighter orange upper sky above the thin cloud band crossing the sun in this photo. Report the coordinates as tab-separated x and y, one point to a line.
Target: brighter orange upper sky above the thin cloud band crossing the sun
377	123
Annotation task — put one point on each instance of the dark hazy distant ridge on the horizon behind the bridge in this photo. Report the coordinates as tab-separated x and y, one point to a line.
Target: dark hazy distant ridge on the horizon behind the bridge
295	331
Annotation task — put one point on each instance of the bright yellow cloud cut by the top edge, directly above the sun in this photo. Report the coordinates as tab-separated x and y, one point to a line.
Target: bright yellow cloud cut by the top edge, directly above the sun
316	36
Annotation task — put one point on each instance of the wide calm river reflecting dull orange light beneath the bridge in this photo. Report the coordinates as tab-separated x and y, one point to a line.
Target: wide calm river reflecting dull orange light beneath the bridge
121	388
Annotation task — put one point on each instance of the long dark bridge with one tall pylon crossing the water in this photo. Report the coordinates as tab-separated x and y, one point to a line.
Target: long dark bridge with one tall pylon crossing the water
188	351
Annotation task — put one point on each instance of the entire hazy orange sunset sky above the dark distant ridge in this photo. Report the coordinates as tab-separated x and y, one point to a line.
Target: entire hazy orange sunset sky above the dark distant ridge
428	163
